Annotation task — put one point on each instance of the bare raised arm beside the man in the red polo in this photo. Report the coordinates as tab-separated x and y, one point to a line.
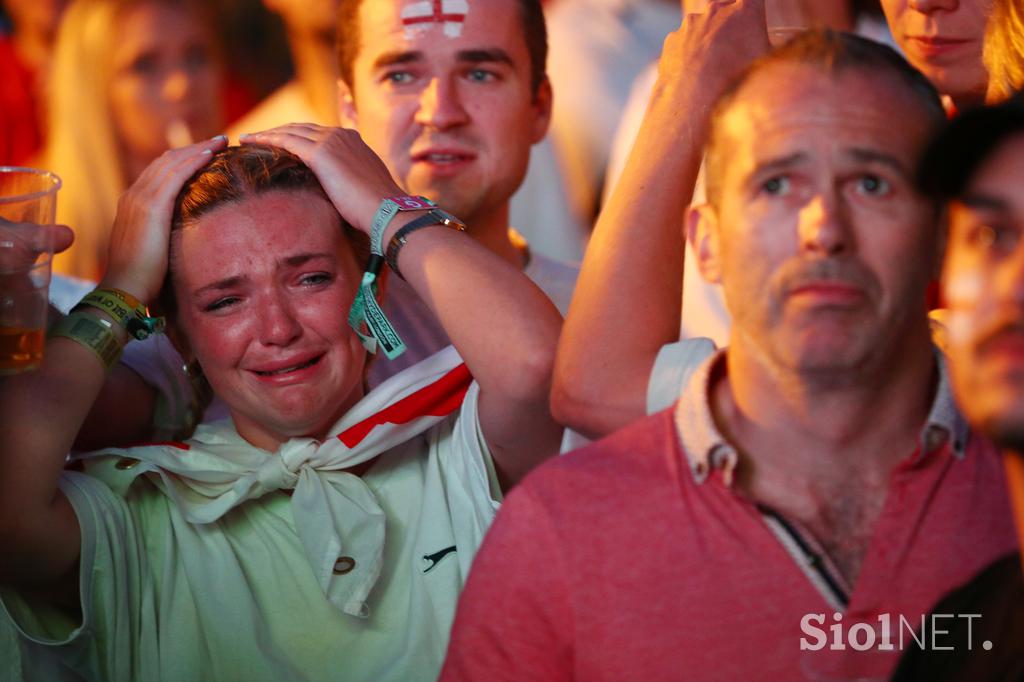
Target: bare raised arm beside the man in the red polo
628	297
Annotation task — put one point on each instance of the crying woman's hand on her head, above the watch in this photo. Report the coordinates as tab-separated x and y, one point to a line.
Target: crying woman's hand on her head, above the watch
354	178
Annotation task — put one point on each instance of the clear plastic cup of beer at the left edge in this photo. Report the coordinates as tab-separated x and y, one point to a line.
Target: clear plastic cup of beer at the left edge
28	199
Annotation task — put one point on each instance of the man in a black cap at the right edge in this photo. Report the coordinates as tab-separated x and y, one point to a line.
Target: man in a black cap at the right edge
977	164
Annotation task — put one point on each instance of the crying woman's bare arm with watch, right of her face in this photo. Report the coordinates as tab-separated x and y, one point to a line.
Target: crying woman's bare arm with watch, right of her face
503	326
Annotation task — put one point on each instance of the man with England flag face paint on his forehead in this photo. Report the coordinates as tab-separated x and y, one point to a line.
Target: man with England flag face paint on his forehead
452	95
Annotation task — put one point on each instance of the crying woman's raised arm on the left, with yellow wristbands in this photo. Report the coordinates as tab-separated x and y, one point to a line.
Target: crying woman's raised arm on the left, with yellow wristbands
45	410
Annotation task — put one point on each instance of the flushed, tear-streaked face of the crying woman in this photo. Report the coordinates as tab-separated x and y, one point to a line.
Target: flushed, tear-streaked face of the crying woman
274	342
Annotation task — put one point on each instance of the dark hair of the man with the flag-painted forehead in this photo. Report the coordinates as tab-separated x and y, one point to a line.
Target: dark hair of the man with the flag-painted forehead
535	32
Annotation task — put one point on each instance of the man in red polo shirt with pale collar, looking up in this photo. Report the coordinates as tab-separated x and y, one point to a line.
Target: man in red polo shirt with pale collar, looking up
815	491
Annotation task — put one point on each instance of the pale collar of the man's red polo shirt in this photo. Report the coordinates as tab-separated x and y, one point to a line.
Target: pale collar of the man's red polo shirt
706	449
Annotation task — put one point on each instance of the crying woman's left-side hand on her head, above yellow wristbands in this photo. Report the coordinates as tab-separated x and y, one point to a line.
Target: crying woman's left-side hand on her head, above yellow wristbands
141	236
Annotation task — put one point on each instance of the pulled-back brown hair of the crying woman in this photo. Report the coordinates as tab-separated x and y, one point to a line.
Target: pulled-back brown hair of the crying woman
235	175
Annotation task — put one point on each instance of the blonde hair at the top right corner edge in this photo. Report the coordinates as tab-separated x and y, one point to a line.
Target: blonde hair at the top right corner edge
1005	50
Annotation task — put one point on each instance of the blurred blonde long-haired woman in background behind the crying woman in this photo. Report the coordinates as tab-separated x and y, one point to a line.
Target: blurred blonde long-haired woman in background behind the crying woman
131	79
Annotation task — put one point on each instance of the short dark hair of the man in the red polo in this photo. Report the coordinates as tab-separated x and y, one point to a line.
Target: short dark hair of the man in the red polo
834	53
